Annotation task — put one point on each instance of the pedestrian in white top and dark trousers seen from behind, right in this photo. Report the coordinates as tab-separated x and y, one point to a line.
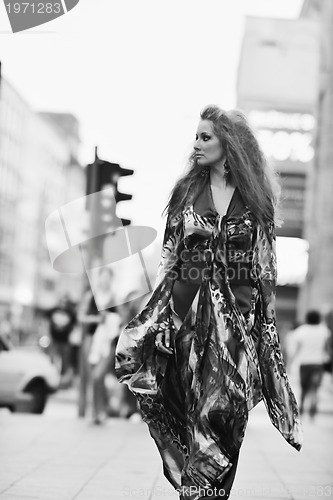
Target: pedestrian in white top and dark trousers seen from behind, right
311	349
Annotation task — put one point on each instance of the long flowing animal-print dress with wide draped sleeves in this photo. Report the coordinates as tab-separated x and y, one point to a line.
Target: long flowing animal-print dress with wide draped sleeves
224	362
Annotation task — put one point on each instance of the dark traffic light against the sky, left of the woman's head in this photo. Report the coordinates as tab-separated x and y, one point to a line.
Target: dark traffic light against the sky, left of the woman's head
103	176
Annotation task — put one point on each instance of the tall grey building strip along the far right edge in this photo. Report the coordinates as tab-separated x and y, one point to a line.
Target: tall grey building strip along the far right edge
318	289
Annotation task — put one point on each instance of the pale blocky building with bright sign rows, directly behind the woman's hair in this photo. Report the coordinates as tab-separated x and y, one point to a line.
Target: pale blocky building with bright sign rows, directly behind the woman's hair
277	89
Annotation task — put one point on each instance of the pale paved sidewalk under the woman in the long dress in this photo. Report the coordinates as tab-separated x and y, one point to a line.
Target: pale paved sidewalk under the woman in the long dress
49	458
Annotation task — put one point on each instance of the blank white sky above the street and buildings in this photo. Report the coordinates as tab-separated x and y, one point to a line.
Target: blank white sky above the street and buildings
135	74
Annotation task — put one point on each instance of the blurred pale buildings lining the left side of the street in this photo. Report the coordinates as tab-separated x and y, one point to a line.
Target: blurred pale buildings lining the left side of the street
39	172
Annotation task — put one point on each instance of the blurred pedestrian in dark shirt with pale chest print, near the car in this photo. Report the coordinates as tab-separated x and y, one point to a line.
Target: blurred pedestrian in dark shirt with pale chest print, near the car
62	319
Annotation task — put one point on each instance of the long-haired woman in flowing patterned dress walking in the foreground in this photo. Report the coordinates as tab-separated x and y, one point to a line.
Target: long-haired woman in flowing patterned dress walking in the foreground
204	350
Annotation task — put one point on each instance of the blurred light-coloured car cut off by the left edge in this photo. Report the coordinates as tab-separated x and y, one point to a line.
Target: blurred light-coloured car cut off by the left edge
26	379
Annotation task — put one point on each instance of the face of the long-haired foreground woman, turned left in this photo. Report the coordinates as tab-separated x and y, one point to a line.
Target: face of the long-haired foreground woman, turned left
207	146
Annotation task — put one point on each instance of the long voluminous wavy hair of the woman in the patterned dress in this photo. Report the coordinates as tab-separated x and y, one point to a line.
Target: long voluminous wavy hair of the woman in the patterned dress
249	171
